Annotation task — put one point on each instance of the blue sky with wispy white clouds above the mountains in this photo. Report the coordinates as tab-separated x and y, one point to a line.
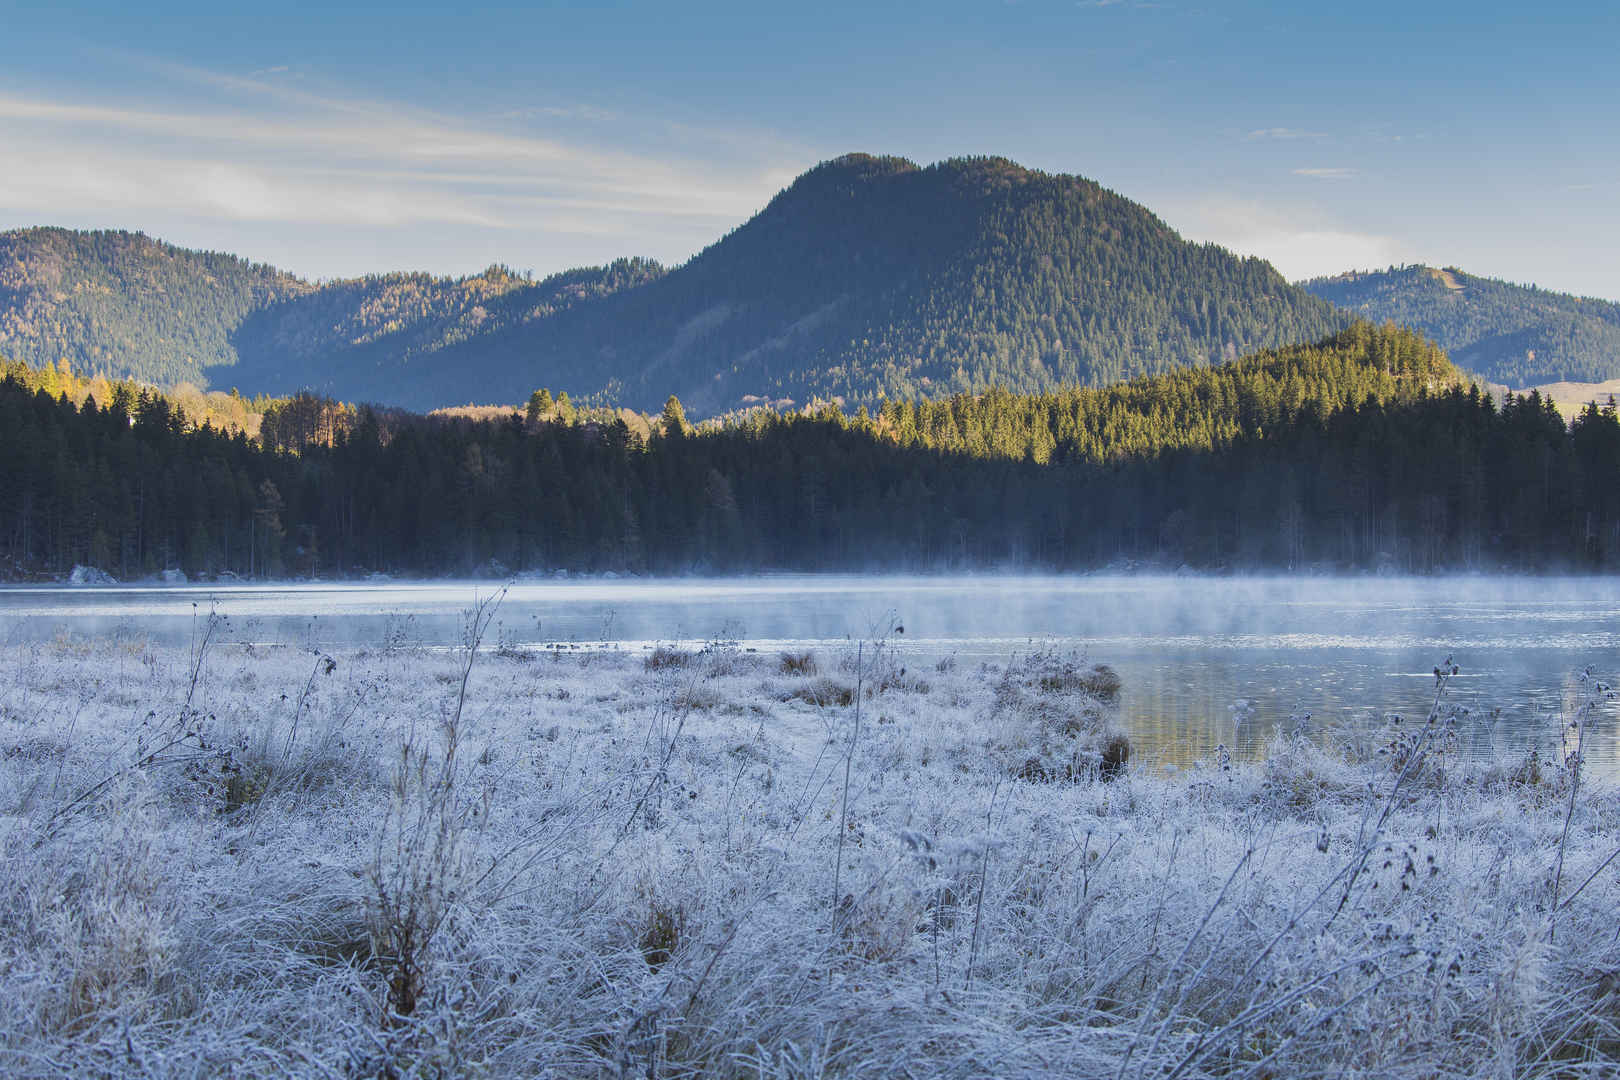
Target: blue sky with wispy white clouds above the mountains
346	138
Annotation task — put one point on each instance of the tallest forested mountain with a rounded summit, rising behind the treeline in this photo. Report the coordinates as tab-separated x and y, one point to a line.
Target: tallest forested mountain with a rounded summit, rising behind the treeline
872	278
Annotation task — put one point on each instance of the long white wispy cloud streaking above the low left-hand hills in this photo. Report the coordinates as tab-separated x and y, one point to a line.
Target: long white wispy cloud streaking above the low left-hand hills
265	151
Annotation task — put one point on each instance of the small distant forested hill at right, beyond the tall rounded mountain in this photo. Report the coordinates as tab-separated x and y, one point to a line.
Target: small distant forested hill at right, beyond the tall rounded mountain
1514	334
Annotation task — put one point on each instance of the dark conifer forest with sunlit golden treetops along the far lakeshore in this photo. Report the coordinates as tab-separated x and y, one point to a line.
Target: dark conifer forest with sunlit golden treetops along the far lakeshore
1363	453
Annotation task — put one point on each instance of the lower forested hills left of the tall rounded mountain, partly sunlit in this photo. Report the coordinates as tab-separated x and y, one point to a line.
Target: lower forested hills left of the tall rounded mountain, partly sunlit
132	307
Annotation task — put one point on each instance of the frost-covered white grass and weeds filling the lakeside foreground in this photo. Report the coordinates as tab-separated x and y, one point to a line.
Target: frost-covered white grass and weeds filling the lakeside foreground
265	862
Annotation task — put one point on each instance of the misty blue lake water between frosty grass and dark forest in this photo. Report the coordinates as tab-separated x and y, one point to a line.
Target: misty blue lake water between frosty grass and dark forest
1345	650
